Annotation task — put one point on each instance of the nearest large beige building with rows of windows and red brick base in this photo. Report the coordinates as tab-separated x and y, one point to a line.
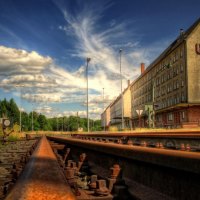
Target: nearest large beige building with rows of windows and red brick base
171	84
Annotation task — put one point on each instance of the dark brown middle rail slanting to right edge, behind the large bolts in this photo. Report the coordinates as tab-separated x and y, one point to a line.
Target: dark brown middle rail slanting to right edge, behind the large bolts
182	160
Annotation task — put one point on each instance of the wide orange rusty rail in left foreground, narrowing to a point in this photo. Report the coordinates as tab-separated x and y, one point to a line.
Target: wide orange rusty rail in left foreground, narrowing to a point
42	178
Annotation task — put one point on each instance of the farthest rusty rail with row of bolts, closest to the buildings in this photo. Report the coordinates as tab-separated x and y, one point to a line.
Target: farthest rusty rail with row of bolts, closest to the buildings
179	140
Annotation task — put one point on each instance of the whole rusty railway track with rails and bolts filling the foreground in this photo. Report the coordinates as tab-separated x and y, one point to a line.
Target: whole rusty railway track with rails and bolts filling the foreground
99	167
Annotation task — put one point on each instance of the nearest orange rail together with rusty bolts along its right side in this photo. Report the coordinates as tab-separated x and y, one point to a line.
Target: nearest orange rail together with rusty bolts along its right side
52	175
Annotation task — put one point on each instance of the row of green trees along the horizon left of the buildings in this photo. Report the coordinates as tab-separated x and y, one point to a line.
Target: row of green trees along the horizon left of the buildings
41	122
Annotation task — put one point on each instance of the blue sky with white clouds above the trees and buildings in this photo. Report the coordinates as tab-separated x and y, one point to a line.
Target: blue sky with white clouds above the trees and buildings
44	45
